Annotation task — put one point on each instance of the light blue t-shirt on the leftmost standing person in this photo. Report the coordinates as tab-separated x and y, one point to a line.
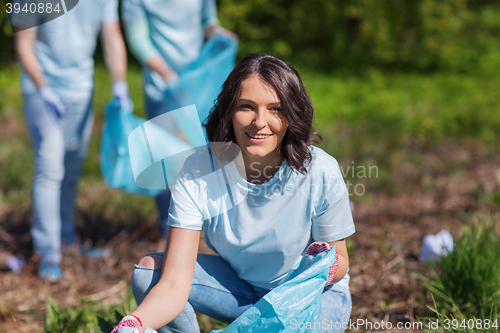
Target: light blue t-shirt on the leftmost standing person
65	48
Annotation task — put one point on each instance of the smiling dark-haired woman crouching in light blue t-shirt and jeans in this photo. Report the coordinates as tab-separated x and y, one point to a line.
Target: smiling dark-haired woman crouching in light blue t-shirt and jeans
284	195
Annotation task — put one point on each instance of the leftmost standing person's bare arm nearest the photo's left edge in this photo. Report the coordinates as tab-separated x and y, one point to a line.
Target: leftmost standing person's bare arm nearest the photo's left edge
25	48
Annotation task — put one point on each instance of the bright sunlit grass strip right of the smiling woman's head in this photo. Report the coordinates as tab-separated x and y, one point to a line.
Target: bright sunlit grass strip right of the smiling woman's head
392	108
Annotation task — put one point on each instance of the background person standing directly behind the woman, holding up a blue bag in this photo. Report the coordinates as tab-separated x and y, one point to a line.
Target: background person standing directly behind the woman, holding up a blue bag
165	36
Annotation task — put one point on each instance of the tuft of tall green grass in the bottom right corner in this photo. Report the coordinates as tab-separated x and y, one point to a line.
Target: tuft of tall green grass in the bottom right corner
467	281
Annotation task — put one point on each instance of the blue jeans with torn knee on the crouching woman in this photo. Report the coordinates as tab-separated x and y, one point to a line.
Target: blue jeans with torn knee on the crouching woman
217	292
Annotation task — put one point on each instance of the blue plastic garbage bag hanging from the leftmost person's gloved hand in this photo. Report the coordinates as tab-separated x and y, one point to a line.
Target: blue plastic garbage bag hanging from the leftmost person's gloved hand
114	155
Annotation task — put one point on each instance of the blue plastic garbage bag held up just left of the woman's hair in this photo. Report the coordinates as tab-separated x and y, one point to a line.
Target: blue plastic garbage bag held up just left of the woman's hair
201	81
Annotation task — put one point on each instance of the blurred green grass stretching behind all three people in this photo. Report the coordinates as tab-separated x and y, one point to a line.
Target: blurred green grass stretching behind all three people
365	118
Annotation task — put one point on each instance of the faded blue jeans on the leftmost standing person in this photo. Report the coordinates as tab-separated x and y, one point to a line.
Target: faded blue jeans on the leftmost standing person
59	152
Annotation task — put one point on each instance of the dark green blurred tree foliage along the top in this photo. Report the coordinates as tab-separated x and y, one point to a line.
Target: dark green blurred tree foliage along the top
458	35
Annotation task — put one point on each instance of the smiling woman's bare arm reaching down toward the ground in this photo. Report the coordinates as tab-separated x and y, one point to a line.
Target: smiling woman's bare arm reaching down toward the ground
167	299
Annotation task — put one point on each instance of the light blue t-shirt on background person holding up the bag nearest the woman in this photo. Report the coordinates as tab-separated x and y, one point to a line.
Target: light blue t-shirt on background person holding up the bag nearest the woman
176	30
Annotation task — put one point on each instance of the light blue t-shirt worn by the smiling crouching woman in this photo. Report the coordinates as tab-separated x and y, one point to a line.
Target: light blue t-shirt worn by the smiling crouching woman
263	230
